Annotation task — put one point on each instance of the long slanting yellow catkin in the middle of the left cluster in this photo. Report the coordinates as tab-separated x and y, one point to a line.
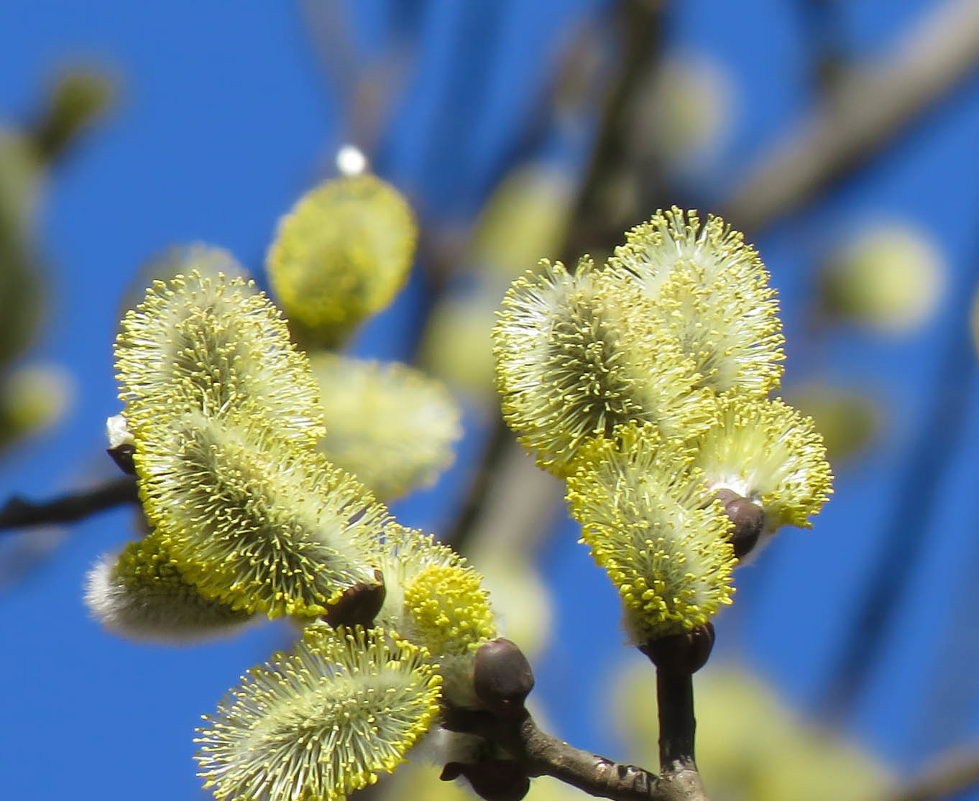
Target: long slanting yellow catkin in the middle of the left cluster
254	520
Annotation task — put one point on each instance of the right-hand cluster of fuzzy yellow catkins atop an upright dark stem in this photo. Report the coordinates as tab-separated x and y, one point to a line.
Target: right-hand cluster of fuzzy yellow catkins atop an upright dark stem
646	384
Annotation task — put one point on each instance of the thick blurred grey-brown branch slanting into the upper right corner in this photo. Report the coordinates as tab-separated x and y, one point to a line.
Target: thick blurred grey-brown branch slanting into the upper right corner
868	108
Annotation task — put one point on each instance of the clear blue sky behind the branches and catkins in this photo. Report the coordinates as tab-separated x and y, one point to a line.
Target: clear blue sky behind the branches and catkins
225	118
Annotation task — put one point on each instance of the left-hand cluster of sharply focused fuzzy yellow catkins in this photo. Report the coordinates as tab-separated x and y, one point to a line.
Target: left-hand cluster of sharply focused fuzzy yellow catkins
248	517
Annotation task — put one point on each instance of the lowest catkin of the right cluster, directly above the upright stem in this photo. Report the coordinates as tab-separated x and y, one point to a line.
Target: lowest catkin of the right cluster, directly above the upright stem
650	523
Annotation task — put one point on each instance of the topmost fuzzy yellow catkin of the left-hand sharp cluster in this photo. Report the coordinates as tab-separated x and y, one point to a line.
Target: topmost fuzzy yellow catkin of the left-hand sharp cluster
216	347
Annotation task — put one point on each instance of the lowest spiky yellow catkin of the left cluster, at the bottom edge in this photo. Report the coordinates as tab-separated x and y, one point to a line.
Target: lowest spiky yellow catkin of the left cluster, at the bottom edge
320	722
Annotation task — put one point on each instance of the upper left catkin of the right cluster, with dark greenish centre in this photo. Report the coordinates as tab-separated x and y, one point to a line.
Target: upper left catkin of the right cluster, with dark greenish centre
578	354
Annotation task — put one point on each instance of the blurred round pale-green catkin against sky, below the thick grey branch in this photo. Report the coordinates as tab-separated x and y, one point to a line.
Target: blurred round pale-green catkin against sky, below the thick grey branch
889	278
